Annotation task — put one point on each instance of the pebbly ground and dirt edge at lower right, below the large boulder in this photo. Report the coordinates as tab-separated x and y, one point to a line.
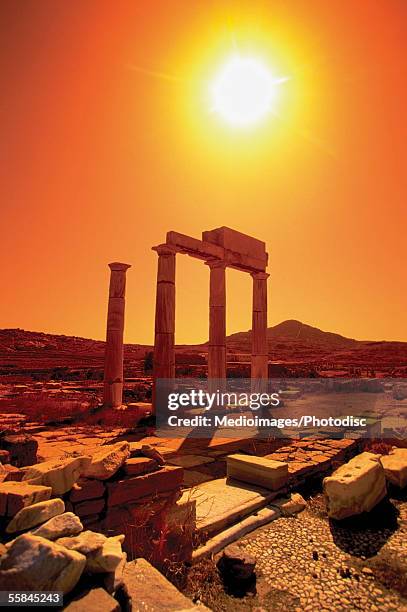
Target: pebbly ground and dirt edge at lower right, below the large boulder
309	563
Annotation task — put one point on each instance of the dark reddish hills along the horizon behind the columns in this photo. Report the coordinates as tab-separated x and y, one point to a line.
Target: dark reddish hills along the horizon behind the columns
288	342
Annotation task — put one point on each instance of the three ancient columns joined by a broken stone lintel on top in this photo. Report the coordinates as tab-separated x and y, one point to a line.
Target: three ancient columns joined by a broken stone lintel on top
219	248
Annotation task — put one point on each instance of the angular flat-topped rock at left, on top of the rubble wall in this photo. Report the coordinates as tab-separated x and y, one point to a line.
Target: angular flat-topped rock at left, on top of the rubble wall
60	475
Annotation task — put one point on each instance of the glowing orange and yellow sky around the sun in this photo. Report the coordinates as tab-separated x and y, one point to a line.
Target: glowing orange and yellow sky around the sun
107	142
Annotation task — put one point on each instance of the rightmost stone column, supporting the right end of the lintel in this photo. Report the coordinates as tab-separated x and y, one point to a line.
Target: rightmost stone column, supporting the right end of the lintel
259	326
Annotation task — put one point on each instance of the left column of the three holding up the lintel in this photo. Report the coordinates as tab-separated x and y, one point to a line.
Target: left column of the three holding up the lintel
164	339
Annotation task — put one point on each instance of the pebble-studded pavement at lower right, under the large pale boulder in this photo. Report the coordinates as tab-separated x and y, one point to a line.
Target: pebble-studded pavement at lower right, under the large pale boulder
311	564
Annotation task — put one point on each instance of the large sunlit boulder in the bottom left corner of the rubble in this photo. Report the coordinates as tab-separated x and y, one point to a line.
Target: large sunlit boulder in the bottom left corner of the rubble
32	563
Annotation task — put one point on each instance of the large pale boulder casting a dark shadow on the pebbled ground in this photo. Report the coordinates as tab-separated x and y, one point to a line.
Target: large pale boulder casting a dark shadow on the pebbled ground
355	487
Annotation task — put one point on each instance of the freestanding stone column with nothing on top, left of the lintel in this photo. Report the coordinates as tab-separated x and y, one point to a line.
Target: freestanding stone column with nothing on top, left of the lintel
113	378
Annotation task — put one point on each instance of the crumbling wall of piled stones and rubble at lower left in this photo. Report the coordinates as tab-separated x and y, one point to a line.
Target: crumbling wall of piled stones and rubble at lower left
72	524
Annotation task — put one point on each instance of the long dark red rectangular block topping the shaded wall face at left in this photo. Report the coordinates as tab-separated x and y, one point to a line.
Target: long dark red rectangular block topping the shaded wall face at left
130	489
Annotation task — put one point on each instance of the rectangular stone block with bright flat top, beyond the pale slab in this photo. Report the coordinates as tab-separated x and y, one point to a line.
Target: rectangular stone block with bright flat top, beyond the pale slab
272	475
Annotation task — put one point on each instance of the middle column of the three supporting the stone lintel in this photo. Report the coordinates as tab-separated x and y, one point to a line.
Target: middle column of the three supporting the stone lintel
217	320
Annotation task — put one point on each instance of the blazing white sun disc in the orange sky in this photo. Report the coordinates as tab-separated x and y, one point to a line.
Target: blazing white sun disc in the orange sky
243	91
